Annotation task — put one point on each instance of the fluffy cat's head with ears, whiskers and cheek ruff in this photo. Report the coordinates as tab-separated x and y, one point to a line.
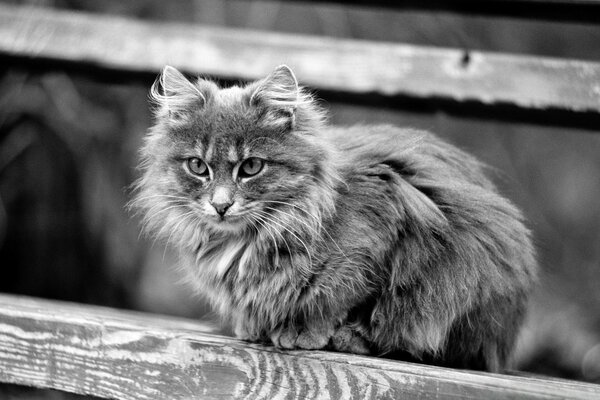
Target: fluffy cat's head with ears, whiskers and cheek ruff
232	160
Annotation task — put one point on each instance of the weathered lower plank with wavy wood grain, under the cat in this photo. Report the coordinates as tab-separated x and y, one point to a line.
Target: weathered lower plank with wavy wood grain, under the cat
118	354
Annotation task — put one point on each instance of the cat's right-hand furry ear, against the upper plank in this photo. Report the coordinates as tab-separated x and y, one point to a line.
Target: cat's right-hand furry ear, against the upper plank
279	96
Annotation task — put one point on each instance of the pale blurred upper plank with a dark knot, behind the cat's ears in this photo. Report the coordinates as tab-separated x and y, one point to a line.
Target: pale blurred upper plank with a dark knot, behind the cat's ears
347	66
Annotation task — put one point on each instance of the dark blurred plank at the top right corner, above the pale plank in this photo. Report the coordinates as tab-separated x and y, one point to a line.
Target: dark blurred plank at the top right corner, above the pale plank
552	10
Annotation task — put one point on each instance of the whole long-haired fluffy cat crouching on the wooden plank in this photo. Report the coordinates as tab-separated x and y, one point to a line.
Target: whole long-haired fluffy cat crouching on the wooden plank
365	239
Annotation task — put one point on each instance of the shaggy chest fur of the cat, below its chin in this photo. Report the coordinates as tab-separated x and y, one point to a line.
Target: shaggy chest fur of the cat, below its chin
244	277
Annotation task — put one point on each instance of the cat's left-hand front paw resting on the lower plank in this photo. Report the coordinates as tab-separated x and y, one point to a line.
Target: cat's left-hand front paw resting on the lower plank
311	335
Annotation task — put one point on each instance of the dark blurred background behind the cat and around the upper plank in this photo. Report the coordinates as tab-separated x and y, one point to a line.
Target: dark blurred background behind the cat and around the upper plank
68	151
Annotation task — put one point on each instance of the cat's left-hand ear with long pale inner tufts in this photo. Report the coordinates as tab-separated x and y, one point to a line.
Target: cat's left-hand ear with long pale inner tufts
175	94
